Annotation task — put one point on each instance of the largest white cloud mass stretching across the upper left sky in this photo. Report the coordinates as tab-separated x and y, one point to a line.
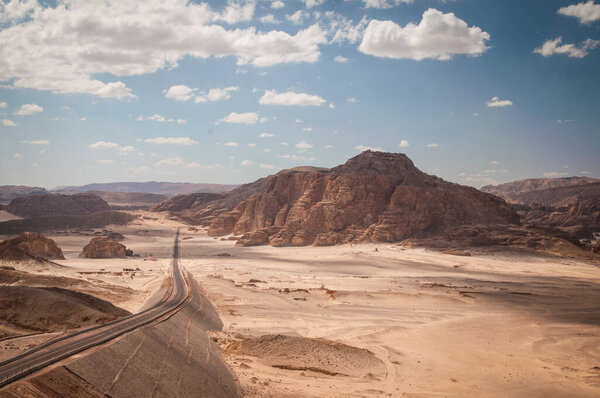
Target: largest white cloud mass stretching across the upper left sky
63	48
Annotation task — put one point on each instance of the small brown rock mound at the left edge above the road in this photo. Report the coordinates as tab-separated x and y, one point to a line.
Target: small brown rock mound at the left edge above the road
30	245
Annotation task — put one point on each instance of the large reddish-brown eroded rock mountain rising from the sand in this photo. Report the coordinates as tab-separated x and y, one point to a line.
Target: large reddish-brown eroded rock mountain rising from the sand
374	197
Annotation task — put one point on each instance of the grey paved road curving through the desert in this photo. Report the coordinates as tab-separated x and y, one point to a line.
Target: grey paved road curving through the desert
66	346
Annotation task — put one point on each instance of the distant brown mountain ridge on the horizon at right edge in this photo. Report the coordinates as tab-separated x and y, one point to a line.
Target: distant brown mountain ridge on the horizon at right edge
513	191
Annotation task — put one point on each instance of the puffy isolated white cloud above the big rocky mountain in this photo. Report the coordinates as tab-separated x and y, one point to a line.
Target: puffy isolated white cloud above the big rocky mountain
438	36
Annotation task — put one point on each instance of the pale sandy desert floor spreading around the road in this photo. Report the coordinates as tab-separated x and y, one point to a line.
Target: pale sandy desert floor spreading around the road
430	324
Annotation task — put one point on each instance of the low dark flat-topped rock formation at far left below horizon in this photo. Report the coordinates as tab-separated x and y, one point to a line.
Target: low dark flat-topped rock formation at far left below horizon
57	205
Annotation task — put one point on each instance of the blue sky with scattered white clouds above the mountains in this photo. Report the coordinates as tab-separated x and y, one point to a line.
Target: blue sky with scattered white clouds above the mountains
475	91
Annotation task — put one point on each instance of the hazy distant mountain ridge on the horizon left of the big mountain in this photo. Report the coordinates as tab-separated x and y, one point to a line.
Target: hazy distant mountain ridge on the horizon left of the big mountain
163	188
